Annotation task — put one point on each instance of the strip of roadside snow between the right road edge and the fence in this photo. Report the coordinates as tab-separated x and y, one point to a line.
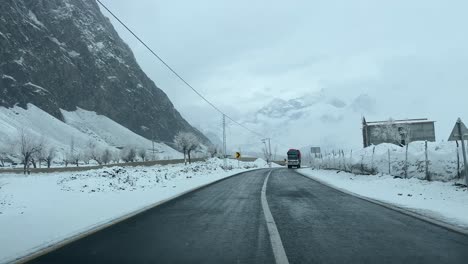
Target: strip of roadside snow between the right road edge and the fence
443	201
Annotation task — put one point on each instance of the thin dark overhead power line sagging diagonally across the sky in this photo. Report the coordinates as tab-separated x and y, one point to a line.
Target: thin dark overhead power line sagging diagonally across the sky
176	74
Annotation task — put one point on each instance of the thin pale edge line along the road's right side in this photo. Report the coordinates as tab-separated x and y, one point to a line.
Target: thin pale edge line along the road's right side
402	210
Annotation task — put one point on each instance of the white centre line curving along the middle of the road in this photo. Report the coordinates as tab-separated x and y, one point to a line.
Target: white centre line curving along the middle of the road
275	239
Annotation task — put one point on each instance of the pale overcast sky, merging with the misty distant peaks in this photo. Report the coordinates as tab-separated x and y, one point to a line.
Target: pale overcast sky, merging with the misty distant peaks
407	59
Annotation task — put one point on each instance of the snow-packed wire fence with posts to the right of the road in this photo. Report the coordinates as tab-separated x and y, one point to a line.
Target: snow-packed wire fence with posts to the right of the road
423	160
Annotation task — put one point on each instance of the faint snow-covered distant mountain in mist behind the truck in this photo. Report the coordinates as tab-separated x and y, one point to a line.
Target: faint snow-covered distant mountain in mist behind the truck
295	122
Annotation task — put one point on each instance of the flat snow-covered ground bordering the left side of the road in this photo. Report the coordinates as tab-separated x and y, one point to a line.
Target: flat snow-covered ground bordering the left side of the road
43	209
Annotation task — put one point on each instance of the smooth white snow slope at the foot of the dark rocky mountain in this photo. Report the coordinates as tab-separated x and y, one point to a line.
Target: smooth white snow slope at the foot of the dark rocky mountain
81	126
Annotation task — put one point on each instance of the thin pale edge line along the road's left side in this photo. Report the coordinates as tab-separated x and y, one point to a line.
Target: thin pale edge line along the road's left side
98	227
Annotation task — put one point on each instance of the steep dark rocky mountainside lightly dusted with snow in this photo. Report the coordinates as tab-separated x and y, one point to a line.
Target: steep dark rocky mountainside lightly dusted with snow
64	54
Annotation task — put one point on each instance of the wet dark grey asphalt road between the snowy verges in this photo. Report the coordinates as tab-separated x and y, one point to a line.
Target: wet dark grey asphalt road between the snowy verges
225	223
